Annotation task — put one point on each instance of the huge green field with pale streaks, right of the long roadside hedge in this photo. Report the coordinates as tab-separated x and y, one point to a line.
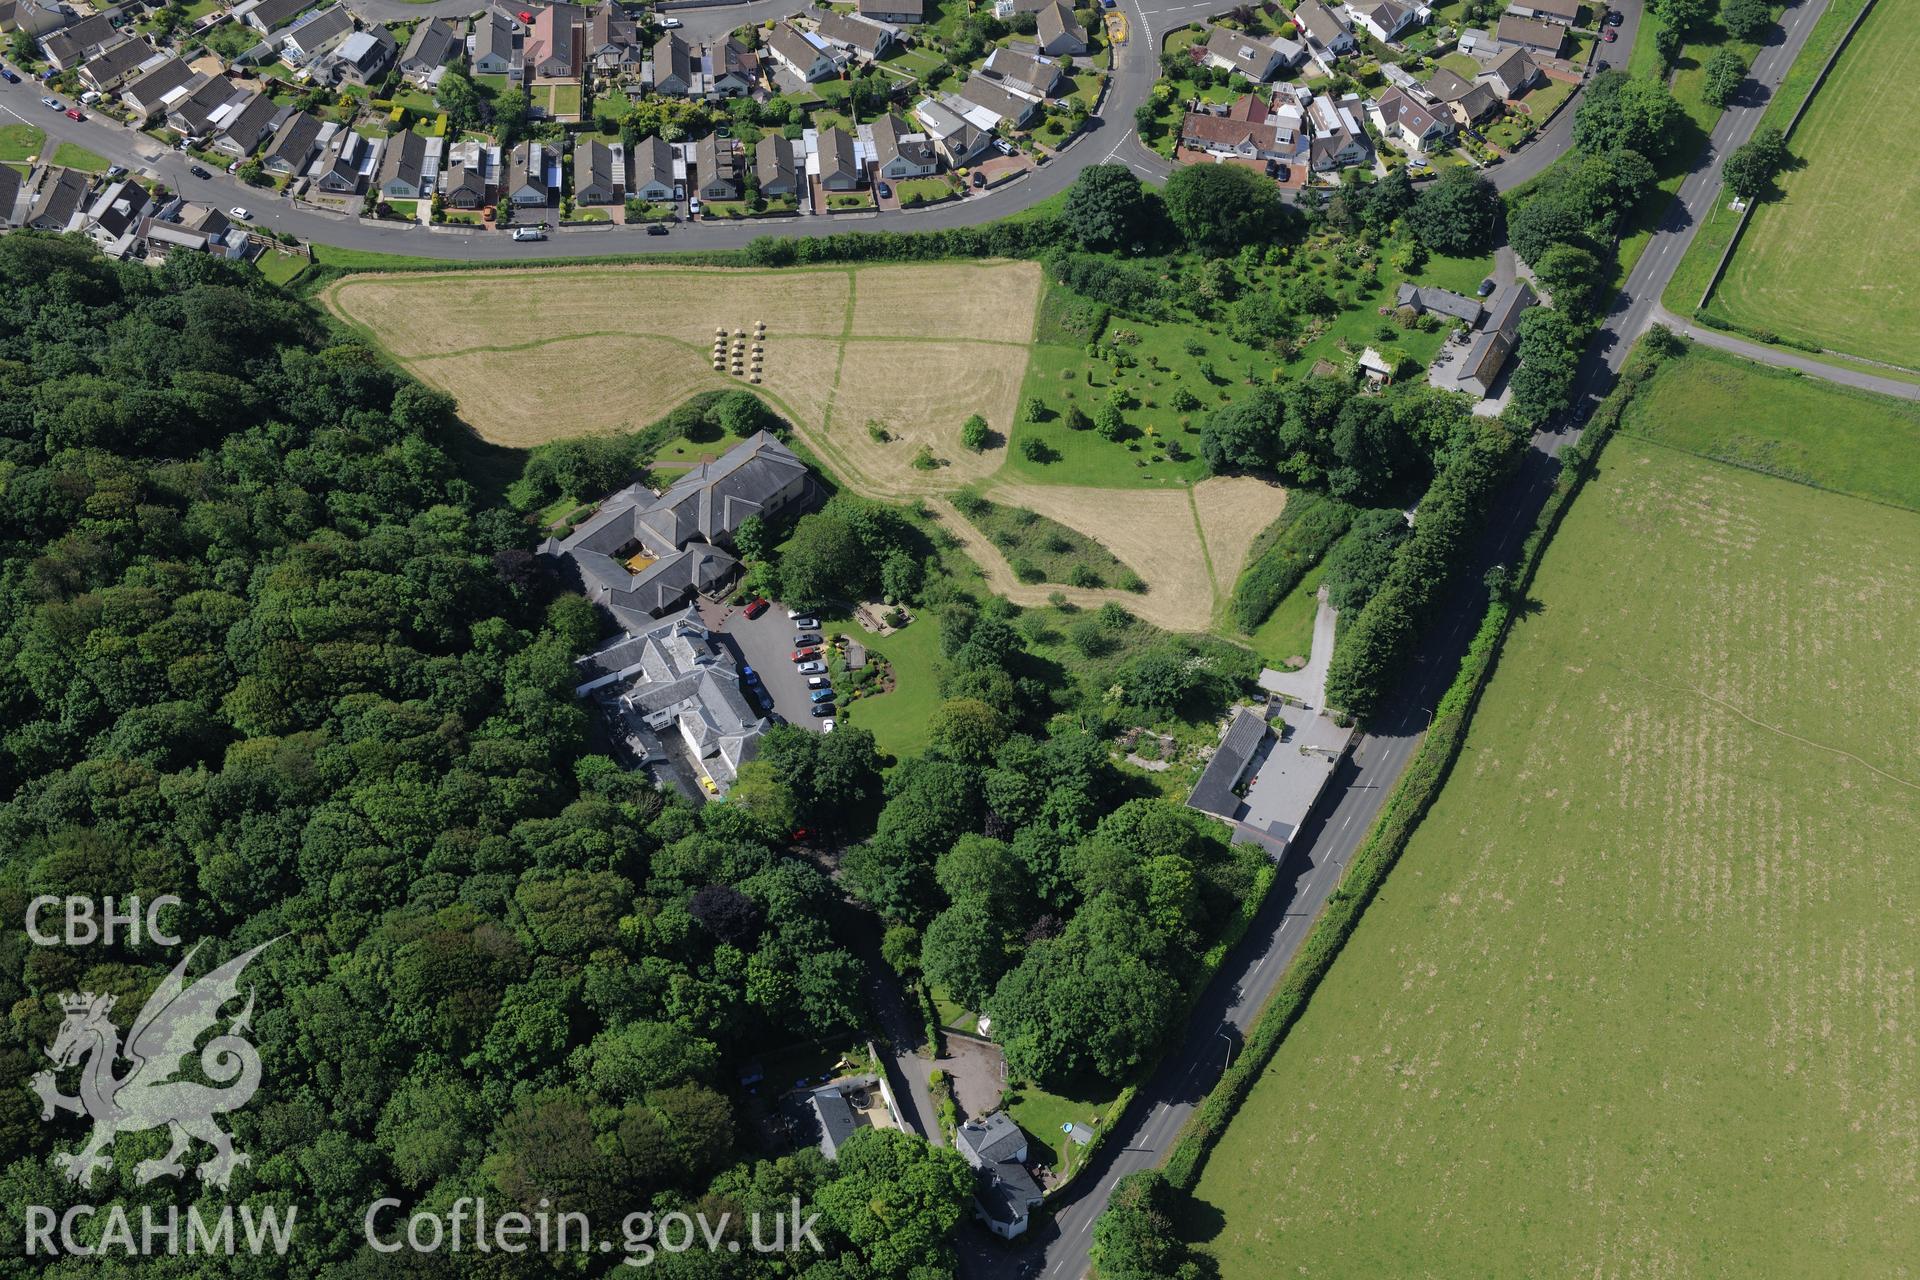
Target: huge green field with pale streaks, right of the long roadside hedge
1641	997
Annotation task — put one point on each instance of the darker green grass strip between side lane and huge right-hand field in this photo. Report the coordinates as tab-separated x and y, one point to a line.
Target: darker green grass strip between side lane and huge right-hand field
1785	425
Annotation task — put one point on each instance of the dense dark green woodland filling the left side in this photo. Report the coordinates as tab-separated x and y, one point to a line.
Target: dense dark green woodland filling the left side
264	650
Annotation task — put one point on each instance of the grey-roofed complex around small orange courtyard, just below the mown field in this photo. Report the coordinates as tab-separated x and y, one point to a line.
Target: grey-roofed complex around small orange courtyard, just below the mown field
642	556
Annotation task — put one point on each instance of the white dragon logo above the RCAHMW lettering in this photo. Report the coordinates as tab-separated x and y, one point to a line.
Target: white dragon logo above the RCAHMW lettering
153	1095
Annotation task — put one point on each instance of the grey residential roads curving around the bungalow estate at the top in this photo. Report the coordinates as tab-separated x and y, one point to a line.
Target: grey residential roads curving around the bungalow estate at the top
1111	139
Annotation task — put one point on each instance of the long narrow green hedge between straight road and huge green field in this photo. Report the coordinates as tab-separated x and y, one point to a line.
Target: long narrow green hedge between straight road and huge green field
1416	792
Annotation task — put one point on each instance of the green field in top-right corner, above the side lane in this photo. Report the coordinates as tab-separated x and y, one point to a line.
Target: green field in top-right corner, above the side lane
1836	258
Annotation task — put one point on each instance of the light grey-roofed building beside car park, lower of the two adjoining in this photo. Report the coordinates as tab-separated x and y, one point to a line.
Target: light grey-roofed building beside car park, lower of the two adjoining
675	694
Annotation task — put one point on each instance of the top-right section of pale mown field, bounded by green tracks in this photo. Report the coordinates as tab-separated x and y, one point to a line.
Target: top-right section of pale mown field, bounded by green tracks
992	302
